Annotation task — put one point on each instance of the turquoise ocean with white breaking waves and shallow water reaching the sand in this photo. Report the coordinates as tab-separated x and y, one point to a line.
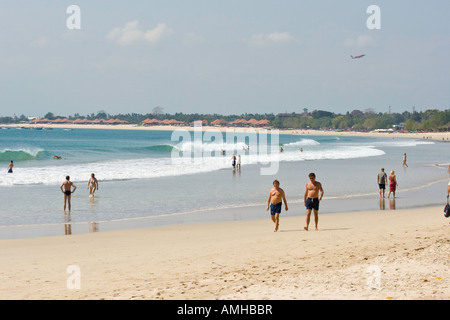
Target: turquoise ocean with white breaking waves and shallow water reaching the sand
151	178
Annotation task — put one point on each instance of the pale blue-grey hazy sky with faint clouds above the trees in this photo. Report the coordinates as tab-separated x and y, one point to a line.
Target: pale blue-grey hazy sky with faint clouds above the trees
224	57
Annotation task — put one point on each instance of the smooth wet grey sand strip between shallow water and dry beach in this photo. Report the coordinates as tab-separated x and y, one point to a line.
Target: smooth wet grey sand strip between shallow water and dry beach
405	200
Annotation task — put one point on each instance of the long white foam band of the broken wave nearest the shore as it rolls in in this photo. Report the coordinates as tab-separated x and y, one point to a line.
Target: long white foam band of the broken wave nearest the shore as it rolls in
175	166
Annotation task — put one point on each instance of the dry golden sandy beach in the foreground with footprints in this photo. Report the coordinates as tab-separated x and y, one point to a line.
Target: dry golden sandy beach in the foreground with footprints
377	255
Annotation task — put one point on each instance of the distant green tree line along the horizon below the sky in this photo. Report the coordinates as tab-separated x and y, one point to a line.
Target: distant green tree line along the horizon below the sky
429	120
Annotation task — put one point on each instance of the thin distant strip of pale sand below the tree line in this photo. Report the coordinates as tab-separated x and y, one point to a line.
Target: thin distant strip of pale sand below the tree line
434	136
